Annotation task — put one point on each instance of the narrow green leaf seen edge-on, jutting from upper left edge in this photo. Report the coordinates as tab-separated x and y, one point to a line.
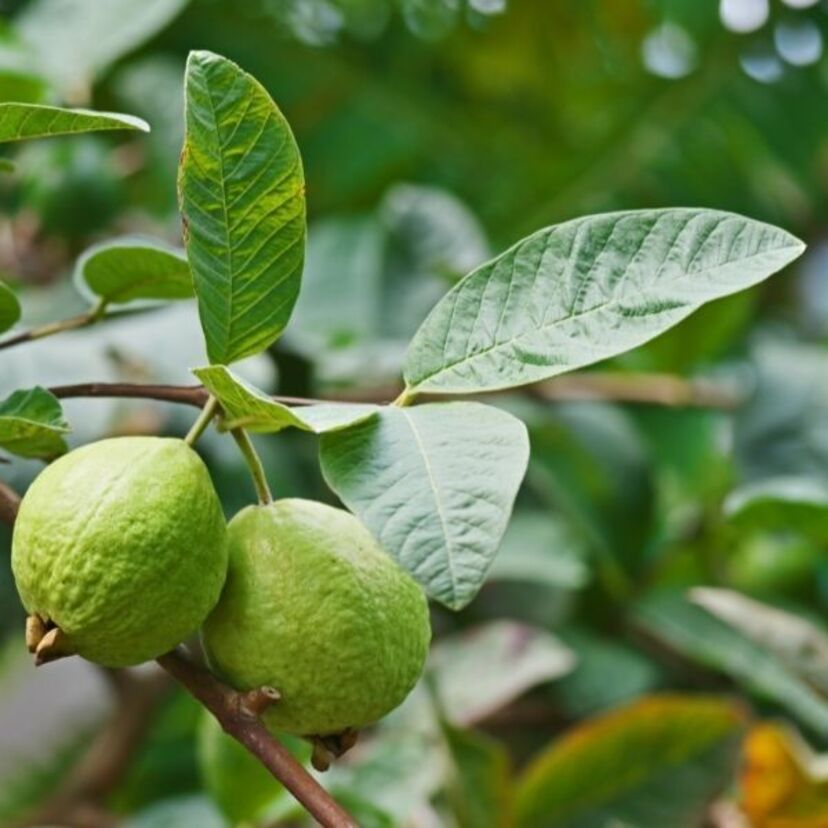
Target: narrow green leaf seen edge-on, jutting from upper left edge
20	121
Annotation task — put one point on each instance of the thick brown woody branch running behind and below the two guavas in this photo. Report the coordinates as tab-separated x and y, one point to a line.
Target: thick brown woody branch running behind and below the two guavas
239	715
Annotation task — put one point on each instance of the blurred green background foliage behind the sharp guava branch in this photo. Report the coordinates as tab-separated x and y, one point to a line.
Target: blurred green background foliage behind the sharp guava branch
435	132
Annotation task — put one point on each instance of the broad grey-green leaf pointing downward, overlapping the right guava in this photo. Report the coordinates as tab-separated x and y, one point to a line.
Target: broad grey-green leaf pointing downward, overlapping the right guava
435	484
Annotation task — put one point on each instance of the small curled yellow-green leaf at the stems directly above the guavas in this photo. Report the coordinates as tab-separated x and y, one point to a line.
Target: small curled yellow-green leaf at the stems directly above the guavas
247	407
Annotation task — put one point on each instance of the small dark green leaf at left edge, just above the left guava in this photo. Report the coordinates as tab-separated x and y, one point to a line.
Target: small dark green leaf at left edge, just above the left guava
32	424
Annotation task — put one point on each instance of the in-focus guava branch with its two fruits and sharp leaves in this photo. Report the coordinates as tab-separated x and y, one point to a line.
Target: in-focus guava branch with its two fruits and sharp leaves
313	619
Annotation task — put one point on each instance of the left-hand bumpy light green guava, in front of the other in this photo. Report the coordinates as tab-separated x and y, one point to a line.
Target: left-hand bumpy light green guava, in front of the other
123	545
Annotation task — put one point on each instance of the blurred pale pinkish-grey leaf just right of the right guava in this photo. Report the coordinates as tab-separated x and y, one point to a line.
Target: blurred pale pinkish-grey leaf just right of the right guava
506	658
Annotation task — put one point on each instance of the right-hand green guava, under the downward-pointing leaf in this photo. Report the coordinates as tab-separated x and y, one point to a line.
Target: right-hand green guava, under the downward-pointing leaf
315	608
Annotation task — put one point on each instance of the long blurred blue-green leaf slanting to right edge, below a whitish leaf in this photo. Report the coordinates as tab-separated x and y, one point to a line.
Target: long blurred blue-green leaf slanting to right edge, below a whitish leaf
699	636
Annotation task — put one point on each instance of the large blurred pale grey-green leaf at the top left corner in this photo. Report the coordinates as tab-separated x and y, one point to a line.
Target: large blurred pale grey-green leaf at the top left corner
74	41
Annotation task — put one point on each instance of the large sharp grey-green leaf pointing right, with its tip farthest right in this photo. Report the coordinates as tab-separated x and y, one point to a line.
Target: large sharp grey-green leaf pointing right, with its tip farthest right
576	293
